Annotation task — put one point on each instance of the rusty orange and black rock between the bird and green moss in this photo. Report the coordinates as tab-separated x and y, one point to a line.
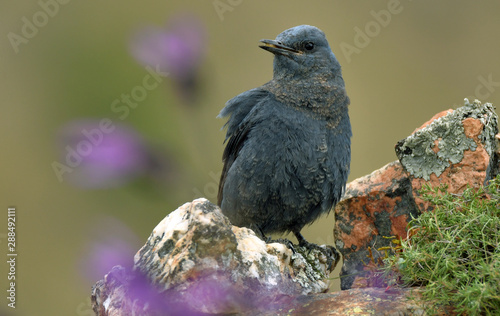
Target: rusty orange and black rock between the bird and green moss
374	207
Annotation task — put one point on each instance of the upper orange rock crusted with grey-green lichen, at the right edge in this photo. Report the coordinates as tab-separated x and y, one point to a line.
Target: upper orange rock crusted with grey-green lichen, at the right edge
457	149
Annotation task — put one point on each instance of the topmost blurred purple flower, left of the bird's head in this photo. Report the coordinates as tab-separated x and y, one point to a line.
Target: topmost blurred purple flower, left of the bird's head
179	49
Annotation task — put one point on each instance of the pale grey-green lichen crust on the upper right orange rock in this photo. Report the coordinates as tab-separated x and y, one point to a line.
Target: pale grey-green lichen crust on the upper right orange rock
417	152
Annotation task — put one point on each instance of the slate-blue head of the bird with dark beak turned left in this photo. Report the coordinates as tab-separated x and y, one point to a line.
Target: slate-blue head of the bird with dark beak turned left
303	52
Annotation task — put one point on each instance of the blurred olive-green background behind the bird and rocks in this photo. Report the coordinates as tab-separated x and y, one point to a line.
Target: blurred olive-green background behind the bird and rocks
403	61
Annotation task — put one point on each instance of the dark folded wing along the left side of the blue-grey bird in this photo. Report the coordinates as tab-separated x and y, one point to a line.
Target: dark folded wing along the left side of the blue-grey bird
239	109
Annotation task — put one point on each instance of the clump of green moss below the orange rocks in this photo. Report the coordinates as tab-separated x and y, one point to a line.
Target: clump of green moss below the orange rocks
454	251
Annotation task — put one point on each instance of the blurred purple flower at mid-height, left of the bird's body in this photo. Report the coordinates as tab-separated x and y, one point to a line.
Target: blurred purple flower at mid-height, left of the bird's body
103	158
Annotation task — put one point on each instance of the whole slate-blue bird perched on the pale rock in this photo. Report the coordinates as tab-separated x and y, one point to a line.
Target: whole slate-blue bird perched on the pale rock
288	142
